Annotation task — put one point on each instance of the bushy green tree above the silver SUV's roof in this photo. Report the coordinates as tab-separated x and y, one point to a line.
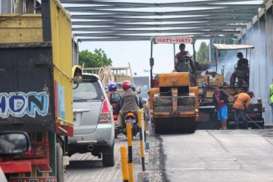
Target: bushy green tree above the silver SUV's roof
98	58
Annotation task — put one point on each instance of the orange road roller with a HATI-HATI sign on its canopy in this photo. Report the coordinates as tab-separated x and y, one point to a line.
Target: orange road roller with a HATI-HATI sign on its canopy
173	97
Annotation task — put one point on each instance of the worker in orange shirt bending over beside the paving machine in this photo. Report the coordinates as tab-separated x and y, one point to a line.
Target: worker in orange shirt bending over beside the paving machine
241	103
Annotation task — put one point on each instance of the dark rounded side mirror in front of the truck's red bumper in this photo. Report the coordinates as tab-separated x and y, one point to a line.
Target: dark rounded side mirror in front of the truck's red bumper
14	143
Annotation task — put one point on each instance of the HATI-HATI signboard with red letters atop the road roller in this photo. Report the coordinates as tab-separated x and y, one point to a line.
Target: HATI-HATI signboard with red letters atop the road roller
173	40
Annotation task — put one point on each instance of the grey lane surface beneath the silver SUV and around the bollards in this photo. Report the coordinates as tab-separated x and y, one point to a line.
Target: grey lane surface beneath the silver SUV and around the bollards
87	168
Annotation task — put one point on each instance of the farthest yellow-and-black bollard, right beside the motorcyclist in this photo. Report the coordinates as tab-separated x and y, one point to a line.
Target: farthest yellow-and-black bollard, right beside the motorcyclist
140	125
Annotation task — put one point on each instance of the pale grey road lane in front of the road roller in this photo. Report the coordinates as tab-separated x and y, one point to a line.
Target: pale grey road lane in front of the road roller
219	156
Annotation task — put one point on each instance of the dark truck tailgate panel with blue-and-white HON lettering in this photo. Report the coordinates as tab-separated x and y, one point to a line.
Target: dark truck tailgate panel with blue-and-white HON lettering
27	86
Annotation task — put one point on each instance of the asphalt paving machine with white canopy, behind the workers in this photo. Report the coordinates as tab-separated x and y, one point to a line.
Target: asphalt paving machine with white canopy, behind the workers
239	81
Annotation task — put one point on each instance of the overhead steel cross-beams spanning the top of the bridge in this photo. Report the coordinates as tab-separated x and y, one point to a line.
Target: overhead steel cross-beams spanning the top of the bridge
116	20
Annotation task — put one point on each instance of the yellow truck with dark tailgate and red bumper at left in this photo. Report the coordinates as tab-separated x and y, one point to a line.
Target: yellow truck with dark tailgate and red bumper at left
36	115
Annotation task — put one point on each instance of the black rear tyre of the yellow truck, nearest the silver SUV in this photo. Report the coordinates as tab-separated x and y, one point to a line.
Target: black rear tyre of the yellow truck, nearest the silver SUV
60	165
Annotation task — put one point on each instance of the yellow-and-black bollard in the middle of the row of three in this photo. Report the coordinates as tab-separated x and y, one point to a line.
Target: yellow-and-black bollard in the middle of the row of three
130	151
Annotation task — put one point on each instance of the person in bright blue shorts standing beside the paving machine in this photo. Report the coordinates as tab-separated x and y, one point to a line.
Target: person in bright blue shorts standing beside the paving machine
220	99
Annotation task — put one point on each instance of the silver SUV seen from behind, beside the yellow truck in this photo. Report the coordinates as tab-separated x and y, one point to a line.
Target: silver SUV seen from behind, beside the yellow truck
94	129
